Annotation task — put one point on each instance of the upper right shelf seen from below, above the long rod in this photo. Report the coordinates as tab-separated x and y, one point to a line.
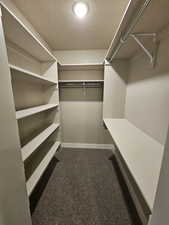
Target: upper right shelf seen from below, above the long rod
148	22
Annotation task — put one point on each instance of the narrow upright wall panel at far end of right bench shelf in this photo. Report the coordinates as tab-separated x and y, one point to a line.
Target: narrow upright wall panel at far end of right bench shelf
115	76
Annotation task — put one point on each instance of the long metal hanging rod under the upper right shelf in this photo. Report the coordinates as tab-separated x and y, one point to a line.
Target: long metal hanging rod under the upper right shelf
113	50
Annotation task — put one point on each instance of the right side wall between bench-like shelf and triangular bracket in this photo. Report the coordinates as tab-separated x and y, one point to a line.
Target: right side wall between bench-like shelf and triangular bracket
147	99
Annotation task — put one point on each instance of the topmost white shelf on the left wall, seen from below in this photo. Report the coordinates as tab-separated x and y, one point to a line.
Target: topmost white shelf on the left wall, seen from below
17	33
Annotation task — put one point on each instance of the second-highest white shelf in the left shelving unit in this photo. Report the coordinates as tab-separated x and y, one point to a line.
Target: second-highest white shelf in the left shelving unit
25	74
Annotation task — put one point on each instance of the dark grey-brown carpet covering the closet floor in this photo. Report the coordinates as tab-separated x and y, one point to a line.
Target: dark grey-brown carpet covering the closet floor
84	188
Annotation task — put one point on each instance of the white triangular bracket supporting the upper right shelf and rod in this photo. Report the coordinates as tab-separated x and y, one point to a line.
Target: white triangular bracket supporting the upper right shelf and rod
152	54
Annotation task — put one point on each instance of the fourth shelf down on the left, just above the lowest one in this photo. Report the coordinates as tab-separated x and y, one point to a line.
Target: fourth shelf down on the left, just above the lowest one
30	147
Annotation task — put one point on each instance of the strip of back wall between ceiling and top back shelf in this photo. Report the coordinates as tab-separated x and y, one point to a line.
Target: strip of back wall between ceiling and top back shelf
80	56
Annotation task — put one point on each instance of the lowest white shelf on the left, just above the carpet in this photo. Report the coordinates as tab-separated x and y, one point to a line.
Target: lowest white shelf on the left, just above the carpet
35	177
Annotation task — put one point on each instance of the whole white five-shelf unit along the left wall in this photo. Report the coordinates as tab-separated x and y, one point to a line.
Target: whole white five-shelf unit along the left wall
34	76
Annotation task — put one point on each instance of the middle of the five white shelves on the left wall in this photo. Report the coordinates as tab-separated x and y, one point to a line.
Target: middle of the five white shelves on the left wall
28	112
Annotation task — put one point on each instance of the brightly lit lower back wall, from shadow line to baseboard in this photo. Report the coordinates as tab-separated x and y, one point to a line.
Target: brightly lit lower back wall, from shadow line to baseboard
82	123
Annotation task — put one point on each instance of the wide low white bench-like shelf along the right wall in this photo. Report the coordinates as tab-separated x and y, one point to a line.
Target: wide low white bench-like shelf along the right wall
141	153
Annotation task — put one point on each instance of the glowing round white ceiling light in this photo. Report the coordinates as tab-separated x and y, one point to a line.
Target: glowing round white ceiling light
80	9
